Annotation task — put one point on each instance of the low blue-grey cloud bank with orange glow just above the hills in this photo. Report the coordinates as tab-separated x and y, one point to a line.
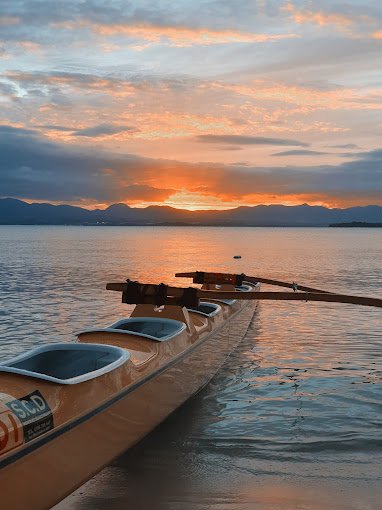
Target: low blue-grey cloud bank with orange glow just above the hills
56	172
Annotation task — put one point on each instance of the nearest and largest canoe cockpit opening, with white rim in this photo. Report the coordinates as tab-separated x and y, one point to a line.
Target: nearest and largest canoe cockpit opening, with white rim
65	363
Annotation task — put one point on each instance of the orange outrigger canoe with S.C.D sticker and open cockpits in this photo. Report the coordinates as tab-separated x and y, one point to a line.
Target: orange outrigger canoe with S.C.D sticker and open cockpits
68	409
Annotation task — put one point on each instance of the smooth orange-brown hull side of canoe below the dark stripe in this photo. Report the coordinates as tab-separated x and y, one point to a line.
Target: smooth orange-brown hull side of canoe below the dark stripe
58	464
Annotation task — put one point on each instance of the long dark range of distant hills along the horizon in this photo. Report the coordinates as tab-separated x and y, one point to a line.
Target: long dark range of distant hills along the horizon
17	212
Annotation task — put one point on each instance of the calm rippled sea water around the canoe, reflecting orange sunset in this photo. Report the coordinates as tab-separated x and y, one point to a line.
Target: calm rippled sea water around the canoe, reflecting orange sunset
294	418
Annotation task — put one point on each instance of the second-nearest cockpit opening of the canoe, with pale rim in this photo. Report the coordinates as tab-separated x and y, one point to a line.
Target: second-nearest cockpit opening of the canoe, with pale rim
158	329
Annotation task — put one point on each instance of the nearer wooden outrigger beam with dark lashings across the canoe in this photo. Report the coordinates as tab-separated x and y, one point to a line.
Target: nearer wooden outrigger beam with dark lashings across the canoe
135	292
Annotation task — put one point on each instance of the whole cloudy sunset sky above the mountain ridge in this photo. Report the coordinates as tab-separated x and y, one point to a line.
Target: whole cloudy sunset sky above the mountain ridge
197	104
